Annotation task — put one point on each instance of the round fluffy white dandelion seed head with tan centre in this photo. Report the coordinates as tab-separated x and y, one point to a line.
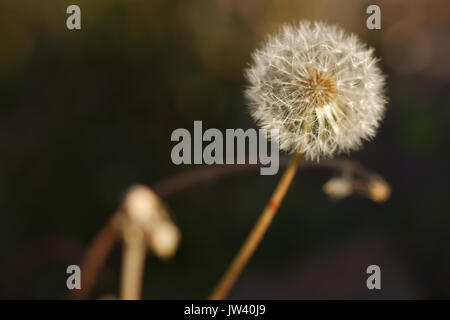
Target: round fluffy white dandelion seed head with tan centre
319	87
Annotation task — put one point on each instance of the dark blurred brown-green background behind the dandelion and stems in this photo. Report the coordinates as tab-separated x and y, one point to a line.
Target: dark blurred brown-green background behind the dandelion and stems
85	114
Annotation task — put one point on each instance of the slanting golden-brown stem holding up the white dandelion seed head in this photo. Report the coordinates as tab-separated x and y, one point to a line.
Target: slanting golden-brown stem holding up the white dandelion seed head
255	236
